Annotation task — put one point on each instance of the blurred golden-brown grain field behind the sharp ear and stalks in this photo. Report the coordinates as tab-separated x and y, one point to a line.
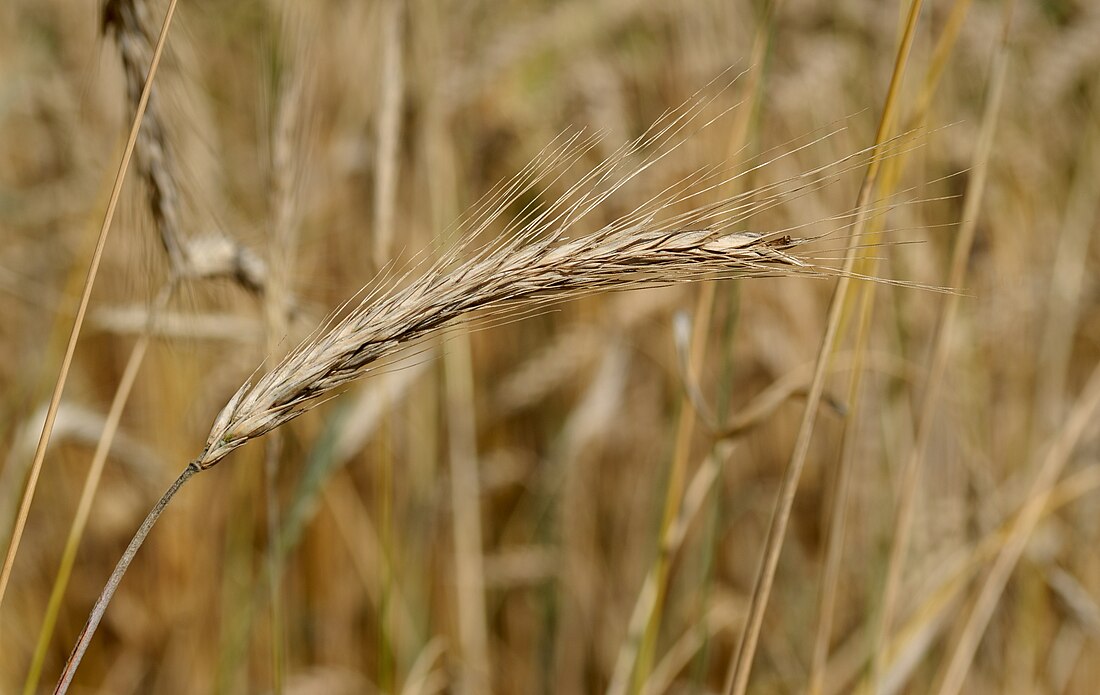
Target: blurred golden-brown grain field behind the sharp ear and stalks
482	516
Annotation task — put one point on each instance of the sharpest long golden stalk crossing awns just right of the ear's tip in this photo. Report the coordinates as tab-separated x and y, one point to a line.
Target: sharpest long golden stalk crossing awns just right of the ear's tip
742	666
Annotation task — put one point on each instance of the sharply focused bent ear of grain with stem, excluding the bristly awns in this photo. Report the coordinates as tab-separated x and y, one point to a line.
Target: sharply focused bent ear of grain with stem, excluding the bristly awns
626	259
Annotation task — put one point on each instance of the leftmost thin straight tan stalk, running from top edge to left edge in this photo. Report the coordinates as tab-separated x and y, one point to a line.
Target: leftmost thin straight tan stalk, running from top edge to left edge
97	256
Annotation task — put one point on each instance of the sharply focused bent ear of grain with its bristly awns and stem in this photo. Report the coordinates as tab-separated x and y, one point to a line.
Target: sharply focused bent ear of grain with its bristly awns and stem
535	262
